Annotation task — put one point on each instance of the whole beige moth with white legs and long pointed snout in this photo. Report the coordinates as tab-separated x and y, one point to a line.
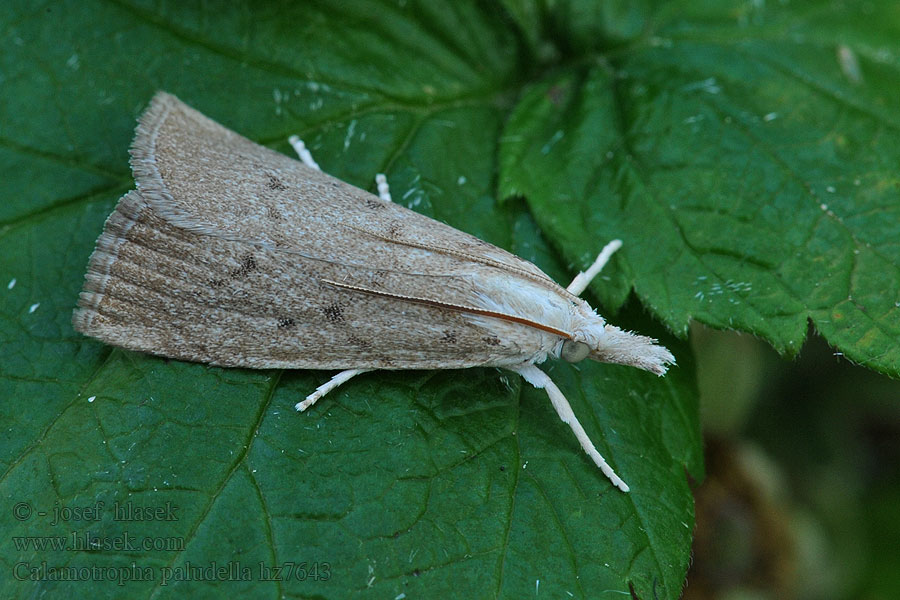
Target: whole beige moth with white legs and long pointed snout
232	254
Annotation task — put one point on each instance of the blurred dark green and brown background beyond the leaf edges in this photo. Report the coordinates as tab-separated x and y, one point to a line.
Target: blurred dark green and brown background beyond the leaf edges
802	494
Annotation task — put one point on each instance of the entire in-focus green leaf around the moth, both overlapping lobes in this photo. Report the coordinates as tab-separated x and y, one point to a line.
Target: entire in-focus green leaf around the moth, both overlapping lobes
432	483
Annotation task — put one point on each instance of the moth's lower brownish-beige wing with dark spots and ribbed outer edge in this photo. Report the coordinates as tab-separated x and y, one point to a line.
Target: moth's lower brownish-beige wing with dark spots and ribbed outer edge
157	288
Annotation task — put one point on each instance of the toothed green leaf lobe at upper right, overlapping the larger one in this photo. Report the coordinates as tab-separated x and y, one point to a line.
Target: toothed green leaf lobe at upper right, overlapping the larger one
753	149
